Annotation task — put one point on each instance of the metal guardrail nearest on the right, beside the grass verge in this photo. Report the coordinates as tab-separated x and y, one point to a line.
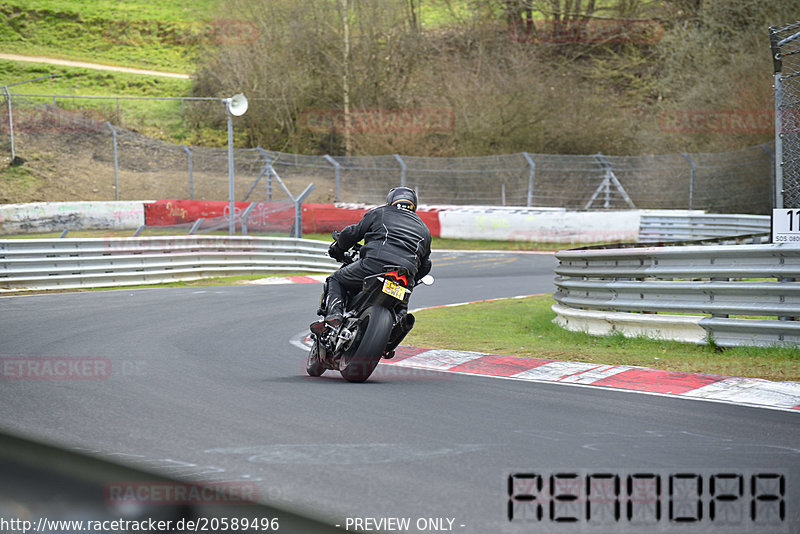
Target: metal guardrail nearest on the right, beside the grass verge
733	295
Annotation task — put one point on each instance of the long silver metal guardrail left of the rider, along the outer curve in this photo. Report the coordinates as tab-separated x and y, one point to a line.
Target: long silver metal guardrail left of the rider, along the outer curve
34	264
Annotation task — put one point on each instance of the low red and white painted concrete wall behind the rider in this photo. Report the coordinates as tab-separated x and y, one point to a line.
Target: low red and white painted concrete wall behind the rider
458	222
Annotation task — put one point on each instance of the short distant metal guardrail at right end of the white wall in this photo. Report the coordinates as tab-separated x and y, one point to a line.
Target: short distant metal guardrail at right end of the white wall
665	227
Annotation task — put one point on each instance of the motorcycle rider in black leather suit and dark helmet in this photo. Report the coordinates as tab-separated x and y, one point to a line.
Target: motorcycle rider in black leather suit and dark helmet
393	234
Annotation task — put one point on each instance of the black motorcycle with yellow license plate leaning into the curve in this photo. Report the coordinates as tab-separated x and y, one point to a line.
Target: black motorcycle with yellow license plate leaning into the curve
375	322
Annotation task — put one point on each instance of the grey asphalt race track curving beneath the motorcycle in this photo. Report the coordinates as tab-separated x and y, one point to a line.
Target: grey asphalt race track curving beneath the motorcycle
206	386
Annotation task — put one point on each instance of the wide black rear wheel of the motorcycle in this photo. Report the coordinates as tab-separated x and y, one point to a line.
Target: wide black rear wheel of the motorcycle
363	356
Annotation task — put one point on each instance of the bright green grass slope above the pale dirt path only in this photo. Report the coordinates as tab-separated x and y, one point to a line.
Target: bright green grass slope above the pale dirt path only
167	35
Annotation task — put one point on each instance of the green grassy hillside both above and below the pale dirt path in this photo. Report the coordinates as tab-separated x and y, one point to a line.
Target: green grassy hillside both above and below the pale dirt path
167	35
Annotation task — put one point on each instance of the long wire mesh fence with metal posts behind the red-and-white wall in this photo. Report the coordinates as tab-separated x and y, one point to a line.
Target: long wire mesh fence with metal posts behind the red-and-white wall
112	162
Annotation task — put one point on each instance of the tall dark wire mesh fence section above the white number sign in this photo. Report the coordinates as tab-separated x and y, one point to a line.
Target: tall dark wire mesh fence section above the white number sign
785	43
